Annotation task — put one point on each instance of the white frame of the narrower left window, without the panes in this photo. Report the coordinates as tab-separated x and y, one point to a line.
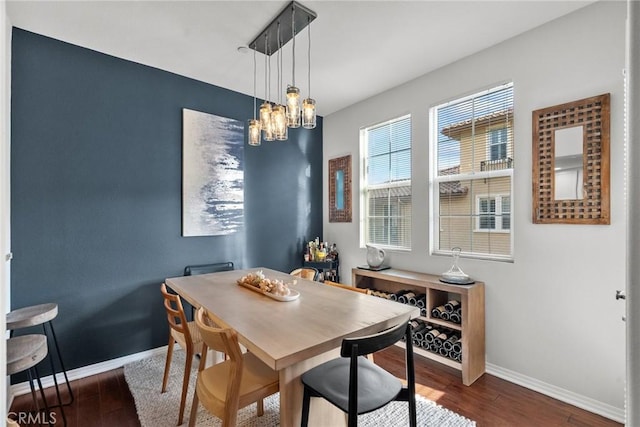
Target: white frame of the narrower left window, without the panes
365	187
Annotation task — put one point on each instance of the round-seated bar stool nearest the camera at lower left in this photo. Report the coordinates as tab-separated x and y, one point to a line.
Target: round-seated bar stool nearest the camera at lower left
23	354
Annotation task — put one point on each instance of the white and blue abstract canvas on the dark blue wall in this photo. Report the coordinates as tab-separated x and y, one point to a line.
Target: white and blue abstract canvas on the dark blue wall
212	174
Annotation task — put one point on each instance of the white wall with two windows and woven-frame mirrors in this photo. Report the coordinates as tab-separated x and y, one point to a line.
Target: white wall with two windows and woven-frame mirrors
552	320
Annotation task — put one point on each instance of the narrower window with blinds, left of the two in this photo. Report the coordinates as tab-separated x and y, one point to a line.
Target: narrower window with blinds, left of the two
386	184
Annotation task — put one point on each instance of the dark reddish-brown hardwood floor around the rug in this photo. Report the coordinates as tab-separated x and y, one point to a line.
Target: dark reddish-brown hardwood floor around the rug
104	400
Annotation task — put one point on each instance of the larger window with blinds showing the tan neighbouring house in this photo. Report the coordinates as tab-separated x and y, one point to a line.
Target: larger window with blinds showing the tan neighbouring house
472	149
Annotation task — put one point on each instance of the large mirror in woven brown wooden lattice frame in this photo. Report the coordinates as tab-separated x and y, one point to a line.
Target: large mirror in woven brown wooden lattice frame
571	162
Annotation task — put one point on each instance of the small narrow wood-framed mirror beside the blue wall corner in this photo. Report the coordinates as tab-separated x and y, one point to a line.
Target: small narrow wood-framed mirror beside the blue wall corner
340	189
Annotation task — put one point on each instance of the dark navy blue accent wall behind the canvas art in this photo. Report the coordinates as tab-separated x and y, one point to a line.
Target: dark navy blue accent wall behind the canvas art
96	172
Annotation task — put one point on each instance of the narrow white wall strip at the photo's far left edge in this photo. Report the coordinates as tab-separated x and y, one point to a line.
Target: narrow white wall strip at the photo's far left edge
5	66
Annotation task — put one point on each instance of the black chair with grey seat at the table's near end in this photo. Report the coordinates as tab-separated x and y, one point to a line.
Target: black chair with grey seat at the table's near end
355	384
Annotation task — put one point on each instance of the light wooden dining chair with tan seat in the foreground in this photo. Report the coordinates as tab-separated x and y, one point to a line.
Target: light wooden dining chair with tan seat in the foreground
226	387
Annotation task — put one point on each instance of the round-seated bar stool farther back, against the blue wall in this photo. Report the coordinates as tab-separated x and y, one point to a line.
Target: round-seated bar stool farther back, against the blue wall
35	315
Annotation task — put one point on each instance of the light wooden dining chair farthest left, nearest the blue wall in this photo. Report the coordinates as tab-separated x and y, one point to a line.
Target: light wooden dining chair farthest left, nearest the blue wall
187	335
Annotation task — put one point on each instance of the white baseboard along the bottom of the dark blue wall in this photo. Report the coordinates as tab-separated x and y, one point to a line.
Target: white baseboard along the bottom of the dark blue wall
85	371
